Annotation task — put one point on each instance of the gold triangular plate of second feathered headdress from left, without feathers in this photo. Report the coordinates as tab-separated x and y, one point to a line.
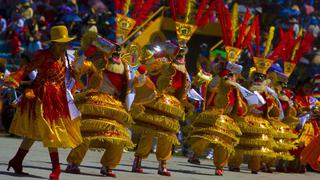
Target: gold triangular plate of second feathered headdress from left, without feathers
184	31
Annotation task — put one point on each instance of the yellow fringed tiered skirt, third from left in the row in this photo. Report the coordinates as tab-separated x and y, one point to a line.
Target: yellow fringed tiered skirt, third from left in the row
215	128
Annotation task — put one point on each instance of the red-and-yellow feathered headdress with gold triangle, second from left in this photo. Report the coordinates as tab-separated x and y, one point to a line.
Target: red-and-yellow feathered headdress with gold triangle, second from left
186	10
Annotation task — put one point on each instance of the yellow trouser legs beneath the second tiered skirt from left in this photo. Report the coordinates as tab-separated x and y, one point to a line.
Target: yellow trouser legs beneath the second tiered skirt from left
164	148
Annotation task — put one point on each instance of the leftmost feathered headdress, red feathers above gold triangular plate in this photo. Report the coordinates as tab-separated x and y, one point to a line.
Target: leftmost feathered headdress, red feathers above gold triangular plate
139	12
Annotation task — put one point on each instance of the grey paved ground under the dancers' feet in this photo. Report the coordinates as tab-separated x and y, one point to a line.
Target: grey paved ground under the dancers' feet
38	164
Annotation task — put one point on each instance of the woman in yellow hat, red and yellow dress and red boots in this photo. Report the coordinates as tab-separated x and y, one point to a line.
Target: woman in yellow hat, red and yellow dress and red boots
43	111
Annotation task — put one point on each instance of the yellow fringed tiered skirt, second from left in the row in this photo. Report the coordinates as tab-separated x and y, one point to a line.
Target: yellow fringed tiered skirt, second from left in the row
159	118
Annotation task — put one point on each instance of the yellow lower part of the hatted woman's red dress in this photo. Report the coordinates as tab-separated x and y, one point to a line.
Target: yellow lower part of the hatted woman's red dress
62	133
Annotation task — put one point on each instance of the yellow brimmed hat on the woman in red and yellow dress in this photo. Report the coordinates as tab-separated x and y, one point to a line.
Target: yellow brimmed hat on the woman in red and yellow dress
60	34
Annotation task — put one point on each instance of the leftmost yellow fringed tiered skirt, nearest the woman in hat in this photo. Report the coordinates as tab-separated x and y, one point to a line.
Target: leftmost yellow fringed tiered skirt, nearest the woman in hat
104	119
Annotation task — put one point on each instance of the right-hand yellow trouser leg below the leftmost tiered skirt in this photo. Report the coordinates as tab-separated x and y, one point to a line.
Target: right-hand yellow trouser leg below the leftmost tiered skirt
112	155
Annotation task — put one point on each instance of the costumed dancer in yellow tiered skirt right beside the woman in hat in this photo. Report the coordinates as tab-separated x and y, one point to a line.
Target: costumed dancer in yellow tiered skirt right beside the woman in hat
105	117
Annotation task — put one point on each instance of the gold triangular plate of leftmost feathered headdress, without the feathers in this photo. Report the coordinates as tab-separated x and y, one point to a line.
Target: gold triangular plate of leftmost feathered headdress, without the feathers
124	26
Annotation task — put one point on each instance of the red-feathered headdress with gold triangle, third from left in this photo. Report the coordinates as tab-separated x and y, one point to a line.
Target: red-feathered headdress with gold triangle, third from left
235	42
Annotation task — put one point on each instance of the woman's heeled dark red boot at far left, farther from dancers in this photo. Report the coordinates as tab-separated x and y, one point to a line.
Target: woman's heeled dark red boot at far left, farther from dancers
16	162
